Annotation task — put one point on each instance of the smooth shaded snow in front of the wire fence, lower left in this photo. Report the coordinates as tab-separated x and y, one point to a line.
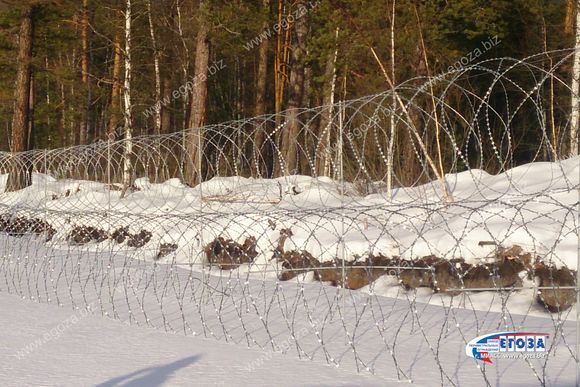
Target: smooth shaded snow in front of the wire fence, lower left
43	345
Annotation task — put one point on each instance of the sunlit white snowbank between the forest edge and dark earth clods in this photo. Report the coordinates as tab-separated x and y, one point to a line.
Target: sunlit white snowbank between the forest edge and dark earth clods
533	205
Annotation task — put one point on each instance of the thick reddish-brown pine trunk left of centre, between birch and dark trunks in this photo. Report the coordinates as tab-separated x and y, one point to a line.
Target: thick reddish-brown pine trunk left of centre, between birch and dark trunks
194	160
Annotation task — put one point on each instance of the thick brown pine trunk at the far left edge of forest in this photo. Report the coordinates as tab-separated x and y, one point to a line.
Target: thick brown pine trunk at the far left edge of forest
19	176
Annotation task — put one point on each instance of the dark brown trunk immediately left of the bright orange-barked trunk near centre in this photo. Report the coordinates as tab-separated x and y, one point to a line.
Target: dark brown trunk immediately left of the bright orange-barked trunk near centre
260	154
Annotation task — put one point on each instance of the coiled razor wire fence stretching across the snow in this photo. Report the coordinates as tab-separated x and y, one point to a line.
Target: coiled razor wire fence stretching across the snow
380	234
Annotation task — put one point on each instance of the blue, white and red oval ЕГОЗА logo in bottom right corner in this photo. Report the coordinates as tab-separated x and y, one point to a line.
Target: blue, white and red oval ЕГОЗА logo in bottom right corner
507	345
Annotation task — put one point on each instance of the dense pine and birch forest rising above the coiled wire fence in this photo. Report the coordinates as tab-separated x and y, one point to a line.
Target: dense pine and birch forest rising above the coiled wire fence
76	72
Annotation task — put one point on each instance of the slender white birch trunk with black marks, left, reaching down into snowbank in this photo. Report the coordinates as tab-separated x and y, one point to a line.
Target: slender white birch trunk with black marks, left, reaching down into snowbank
128	146
